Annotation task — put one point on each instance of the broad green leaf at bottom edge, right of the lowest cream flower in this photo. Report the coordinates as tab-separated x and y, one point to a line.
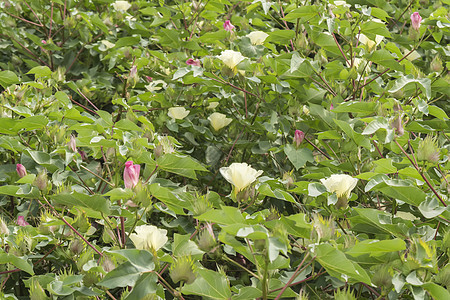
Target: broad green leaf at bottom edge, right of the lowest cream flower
209	284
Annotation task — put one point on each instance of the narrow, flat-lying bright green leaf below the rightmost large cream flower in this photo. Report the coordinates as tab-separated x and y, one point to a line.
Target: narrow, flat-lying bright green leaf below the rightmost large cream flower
376	247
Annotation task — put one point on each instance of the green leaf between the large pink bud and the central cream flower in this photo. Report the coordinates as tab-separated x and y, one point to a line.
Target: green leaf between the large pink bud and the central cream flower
179	164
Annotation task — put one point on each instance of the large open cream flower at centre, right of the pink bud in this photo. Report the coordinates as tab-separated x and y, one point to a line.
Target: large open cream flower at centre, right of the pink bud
241	175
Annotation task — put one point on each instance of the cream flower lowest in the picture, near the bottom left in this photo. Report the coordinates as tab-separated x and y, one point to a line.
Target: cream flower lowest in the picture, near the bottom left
149	237
